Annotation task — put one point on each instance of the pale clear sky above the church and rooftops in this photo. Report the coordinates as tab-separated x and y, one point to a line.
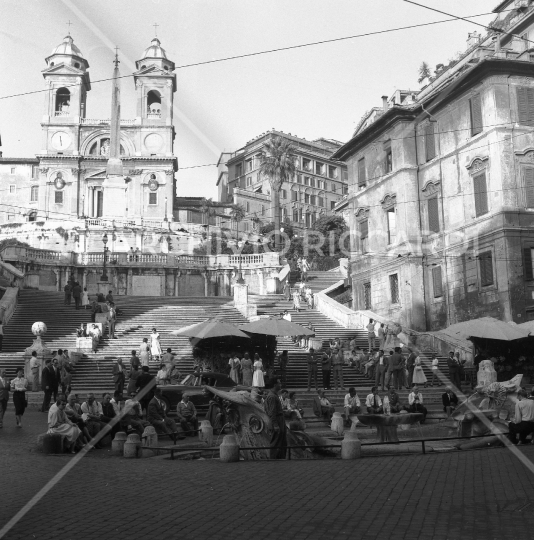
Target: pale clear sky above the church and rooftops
311	92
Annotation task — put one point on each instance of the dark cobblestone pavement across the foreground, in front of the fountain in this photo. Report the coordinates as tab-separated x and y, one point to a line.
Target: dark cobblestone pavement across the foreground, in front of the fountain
485	494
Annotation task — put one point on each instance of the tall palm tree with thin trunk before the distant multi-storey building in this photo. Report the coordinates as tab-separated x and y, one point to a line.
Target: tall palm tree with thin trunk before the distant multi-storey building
278	163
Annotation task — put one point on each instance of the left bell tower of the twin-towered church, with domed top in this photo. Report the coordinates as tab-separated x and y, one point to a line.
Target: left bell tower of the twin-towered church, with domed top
67	82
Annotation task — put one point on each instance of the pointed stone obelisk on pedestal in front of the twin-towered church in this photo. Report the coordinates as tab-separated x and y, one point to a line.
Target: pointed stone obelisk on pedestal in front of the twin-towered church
114	185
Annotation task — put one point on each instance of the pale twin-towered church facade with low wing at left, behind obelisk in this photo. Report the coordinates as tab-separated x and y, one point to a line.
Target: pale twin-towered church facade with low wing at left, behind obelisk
67	179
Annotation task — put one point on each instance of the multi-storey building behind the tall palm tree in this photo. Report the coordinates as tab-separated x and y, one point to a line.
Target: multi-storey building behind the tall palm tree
317	187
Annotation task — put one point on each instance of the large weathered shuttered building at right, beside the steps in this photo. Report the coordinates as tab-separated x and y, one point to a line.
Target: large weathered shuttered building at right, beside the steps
441	189
